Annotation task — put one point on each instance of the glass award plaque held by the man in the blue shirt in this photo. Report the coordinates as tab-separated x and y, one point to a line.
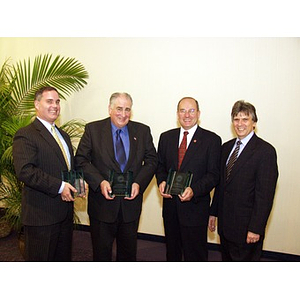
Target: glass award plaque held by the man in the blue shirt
121	183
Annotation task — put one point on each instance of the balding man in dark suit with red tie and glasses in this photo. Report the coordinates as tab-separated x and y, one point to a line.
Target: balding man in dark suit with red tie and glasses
186	216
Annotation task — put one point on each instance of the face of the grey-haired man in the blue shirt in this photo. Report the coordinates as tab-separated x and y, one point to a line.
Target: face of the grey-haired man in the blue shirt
120	111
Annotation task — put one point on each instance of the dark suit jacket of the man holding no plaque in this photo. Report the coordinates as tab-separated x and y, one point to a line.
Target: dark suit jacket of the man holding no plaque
244	202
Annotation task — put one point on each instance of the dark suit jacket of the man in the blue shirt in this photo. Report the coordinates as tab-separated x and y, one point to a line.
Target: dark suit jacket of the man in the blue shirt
95	154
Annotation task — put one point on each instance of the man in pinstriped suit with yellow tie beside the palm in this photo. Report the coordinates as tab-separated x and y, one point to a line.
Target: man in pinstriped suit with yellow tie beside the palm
47	202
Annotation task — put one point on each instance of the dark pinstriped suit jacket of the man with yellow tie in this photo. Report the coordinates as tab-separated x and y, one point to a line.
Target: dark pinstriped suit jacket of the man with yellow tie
39	162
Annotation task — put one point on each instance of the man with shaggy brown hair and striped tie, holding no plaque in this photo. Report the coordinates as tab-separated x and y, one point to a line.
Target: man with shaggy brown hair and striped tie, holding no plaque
243	200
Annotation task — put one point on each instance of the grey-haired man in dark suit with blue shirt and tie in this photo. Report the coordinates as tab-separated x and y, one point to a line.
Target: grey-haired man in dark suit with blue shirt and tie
116	216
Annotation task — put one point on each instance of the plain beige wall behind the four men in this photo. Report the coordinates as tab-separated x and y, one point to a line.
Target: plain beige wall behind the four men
157	72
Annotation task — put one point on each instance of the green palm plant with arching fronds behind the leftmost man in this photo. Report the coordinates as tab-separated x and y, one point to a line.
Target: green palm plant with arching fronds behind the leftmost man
18	84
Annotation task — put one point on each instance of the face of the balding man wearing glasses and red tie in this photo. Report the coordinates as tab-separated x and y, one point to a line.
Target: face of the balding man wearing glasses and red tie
187	113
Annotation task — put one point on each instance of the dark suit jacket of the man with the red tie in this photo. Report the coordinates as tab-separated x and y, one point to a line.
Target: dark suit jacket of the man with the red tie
202	158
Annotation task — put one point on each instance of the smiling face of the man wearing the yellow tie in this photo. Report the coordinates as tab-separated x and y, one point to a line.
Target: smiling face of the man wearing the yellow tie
48	108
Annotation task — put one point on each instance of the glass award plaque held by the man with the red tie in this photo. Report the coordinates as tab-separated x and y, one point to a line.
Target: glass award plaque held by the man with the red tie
177	182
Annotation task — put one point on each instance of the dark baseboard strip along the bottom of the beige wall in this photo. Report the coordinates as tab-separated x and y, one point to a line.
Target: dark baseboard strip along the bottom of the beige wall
278	256
